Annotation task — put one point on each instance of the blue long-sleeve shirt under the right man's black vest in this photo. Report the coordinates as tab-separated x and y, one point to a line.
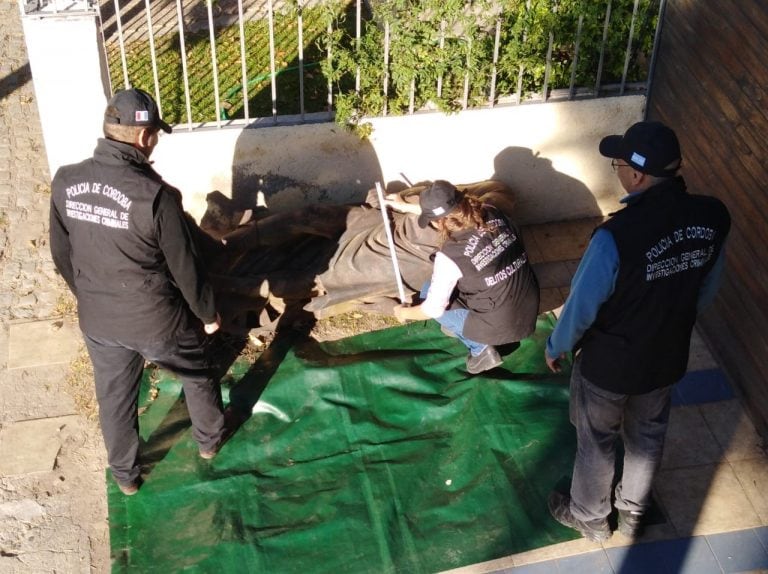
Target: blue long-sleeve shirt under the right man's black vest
595	281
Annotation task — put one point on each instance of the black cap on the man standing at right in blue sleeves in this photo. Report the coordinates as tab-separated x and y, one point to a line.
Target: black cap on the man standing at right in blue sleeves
649	147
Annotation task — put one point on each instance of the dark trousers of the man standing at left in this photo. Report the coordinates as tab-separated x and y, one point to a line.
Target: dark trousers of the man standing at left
117	369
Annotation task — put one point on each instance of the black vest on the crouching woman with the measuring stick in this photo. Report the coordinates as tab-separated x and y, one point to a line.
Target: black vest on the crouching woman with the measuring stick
498	285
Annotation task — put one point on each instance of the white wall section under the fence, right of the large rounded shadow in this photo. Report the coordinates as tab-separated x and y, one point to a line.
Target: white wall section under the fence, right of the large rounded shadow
547	153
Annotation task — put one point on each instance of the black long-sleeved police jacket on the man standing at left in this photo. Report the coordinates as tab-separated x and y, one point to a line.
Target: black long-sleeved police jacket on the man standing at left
121	240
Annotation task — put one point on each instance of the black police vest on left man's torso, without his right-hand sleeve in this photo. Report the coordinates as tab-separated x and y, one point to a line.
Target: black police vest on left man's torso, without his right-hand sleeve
124	288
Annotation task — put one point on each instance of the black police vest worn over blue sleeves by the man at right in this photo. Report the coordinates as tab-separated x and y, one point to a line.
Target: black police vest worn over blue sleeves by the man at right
667	240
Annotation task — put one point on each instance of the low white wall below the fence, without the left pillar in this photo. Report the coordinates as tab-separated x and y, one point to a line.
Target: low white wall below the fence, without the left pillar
546	152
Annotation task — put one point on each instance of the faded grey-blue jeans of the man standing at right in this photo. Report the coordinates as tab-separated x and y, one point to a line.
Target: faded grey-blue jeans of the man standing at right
600	417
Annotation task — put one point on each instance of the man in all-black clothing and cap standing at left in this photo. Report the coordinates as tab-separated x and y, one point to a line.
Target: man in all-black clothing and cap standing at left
120	239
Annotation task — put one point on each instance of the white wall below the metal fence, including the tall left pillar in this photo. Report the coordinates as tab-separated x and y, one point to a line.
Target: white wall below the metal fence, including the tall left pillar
546	152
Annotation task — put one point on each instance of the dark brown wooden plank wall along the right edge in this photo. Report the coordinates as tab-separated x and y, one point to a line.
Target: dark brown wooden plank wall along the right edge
710	85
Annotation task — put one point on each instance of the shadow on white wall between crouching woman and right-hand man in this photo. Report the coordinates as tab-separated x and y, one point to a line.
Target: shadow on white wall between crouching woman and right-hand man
543	193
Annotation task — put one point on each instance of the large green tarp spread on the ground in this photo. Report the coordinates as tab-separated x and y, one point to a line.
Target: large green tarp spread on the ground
373	454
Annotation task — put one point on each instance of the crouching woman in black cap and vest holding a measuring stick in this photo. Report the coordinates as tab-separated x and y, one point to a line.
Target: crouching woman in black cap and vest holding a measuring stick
483	290
